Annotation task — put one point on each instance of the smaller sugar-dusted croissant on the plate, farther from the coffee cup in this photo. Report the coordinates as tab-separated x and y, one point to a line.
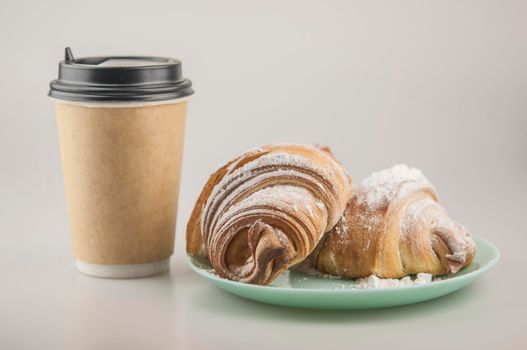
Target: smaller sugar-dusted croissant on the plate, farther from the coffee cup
392	227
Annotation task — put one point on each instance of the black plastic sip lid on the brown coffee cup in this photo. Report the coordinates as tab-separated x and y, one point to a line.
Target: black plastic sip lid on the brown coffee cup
119	79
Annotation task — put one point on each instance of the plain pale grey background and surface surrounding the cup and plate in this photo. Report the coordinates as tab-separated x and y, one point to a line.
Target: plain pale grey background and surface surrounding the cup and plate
440	85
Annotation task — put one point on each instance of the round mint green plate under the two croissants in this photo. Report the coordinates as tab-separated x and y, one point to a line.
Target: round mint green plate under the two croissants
296	289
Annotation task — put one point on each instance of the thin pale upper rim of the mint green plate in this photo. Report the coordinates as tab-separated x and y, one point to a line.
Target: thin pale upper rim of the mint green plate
272	289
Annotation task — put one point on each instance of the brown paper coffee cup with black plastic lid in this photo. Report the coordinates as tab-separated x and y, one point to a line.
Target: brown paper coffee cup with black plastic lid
121	123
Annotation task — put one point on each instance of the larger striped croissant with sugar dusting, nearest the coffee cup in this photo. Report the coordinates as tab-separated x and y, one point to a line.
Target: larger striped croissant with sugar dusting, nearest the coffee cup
266	210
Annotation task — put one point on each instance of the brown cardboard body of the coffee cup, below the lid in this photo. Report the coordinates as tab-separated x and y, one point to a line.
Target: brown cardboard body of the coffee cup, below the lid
121	170
